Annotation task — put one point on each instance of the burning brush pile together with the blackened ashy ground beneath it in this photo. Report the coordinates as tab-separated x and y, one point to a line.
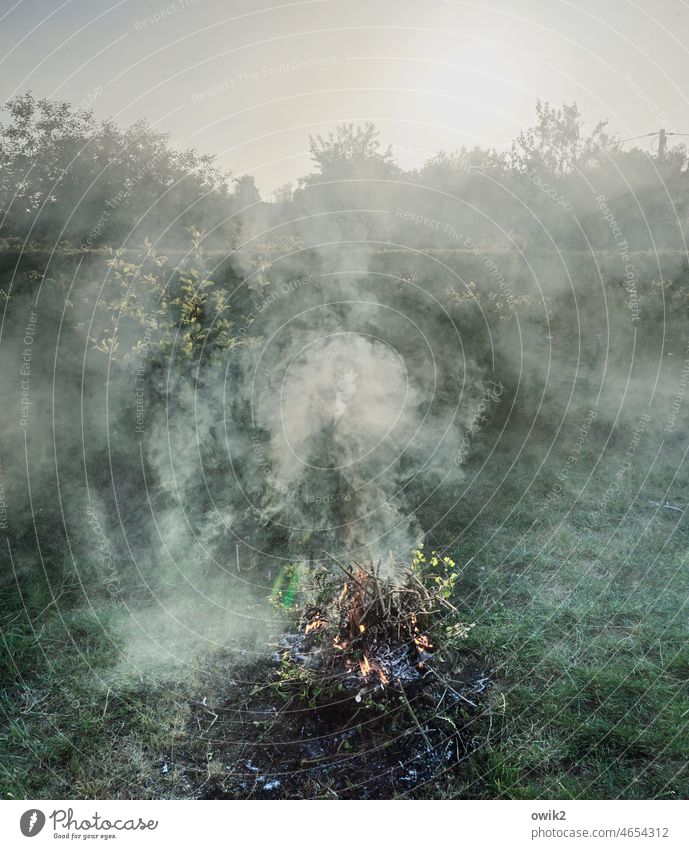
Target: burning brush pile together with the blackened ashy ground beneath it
370	693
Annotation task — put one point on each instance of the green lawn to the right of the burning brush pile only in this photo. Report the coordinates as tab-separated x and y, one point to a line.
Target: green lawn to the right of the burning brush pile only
587	631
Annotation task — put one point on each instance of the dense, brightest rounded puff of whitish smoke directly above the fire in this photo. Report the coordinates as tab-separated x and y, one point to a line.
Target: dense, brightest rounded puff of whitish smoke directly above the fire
340	417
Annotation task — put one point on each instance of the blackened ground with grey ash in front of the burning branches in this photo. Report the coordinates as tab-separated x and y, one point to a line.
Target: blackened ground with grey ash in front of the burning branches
253	743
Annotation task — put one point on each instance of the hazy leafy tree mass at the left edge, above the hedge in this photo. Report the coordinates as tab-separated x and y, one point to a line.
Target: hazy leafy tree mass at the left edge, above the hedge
63	174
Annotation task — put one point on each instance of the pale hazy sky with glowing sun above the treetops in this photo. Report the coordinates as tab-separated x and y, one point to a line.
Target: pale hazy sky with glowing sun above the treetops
249	80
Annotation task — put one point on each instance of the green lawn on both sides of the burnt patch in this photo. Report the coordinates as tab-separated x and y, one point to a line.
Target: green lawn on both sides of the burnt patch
581	616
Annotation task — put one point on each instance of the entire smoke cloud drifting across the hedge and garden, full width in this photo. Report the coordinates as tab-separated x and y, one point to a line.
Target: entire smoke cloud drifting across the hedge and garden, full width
181	430
